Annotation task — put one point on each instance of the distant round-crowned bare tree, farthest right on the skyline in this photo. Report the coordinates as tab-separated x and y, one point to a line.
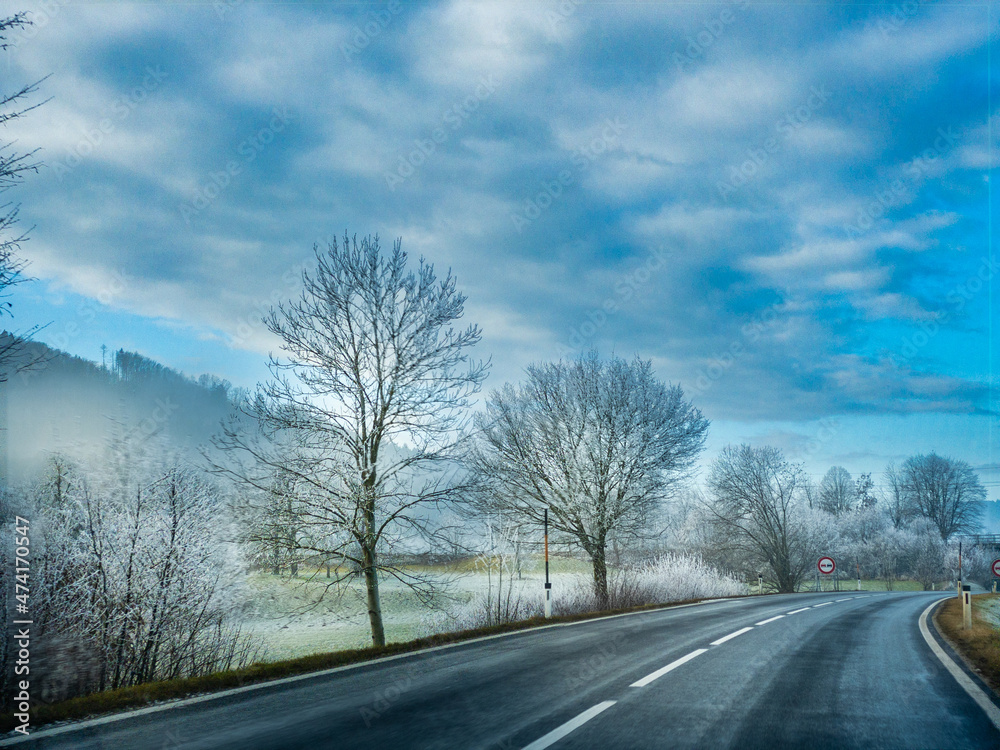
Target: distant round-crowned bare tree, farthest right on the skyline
945	491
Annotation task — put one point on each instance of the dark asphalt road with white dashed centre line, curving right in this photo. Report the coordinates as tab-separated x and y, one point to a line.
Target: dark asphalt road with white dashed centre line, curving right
852	673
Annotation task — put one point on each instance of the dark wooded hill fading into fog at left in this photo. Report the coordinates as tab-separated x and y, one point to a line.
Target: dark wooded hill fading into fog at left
70	405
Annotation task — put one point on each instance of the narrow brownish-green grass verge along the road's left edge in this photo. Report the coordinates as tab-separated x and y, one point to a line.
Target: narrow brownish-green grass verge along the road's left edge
111	701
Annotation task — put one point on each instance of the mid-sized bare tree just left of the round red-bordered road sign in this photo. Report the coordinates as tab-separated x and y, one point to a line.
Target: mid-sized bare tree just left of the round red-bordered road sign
757	506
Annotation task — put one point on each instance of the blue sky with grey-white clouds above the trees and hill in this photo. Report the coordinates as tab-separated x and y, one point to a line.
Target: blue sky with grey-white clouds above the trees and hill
786	206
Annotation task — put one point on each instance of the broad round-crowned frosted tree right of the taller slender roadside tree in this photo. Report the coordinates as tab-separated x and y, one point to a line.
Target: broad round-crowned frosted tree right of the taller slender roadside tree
600	444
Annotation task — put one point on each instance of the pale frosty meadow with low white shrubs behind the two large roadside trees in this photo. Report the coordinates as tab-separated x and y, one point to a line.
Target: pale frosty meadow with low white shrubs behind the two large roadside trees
470	597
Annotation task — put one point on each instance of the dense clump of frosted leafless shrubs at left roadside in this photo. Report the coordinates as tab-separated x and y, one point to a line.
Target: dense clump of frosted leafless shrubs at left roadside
134	579
